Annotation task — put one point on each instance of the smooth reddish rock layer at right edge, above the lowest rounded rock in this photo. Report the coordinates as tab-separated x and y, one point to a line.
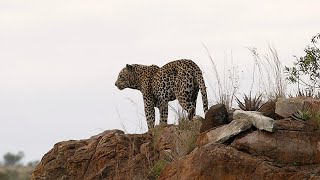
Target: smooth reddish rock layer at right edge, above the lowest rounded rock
287	147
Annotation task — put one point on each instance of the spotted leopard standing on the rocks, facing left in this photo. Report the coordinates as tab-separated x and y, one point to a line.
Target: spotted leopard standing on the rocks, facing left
179	79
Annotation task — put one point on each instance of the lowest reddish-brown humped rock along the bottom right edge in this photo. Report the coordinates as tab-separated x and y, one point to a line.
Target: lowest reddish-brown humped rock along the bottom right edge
218	161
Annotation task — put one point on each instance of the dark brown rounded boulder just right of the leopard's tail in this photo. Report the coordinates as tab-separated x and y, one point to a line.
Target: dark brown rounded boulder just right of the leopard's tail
217	115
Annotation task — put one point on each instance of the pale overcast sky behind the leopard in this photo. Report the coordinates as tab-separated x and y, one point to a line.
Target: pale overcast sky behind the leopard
59	59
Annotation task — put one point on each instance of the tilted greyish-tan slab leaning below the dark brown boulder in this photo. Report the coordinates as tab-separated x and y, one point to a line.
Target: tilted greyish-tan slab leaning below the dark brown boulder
223	133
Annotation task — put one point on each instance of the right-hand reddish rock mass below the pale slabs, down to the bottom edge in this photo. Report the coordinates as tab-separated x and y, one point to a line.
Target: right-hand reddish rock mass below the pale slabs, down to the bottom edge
292	152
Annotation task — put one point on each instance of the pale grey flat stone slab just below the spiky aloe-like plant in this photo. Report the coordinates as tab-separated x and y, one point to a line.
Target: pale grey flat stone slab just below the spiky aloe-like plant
257	119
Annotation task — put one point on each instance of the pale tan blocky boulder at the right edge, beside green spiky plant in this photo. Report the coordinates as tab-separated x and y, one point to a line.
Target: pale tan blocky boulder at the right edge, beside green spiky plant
286	107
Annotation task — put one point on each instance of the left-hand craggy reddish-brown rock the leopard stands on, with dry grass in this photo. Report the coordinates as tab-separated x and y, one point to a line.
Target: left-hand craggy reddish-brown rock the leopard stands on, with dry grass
115	155
